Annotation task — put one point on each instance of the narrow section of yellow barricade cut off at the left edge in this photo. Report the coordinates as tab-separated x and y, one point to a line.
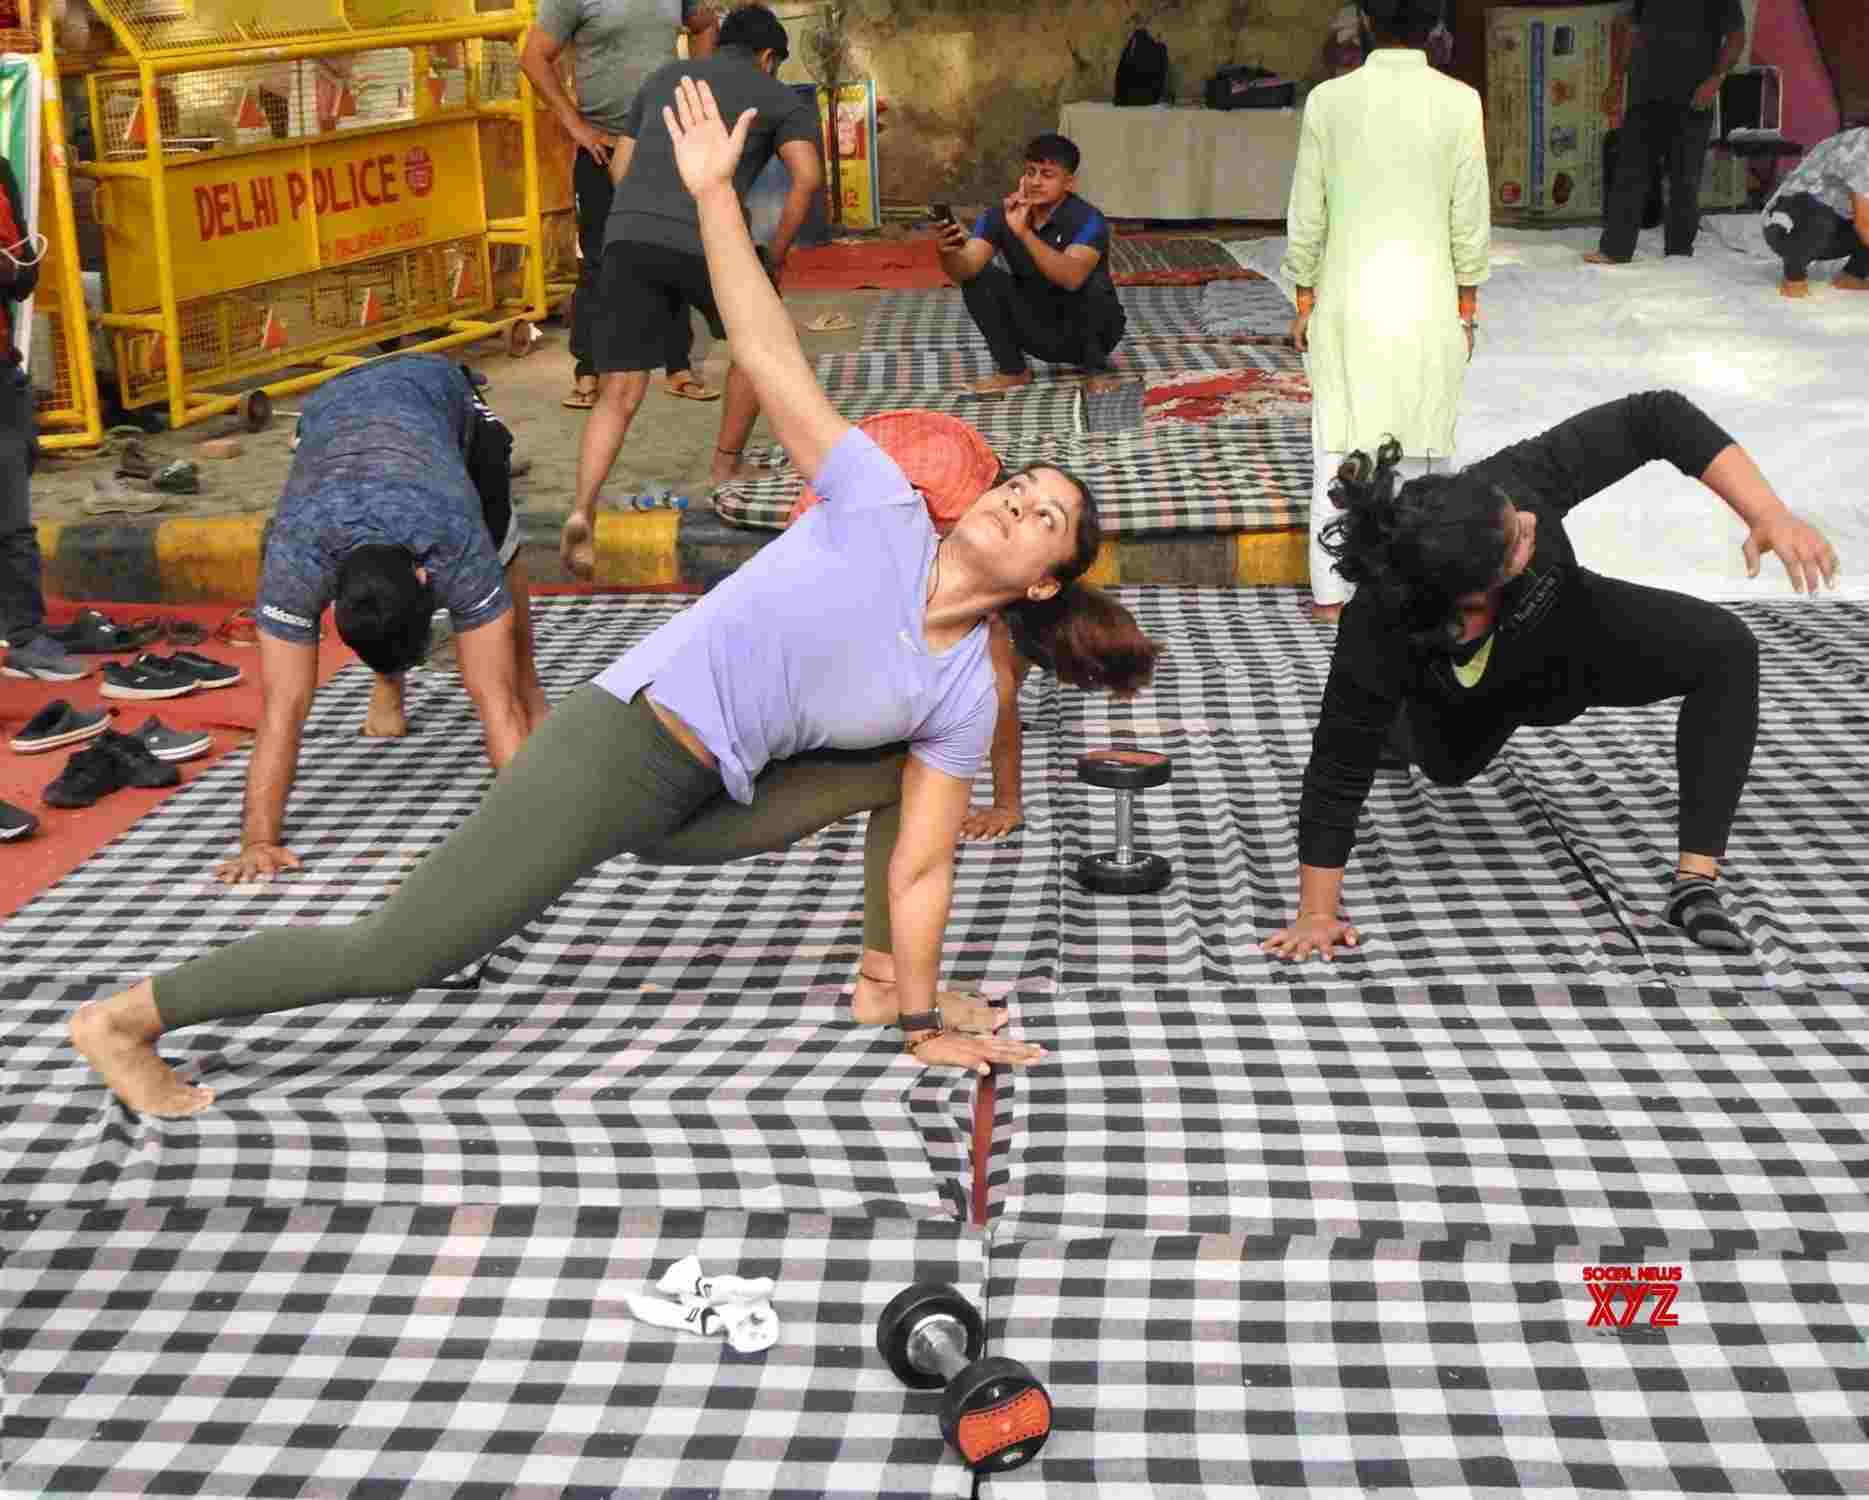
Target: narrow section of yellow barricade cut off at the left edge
59	348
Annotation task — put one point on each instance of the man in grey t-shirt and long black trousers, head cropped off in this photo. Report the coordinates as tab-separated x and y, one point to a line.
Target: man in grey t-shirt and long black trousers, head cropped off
616	44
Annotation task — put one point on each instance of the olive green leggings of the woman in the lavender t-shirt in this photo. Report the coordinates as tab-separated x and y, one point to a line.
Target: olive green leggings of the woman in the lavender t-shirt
597	780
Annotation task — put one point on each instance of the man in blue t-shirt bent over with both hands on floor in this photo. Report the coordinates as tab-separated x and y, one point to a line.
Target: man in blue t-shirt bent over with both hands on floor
399	503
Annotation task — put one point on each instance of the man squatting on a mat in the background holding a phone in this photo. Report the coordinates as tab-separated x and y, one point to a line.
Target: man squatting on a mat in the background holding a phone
1055	300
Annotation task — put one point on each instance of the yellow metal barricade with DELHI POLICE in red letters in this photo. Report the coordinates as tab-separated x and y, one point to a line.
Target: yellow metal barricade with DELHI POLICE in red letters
289	184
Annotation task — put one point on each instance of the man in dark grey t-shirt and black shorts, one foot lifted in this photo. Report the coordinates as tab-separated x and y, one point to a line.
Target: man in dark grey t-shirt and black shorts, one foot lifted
653	262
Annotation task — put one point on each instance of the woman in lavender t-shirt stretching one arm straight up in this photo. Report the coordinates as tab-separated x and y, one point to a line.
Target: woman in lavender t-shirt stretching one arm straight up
844	670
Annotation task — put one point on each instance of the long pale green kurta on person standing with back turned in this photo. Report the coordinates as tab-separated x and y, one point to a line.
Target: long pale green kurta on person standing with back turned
1390	216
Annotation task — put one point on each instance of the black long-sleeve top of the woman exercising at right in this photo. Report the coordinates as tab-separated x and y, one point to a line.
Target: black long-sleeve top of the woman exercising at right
1377	670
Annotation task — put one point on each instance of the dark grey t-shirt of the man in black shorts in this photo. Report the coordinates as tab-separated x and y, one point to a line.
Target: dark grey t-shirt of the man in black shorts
651	205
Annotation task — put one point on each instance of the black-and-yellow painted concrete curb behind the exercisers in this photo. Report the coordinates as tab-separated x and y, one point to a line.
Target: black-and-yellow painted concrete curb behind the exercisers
218	559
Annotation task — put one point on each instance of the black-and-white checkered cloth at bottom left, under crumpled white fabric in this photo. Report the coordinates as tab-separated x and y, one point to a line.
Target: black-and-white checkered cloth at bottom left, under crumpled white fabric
457	1353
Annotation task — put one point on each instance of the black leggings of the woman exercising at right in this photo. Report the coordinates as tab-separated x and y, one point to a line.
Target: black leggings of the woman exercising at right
1631	647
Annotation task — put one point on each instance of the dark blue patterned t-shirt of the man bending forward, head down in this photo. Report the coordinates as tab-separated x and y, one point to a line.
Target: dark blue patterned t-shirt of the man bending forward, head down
386	459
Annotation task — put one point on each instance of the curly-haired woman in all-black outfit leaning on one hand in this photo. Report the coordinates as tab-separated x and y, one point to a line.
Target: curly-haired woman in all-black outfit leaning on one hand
1472	617
